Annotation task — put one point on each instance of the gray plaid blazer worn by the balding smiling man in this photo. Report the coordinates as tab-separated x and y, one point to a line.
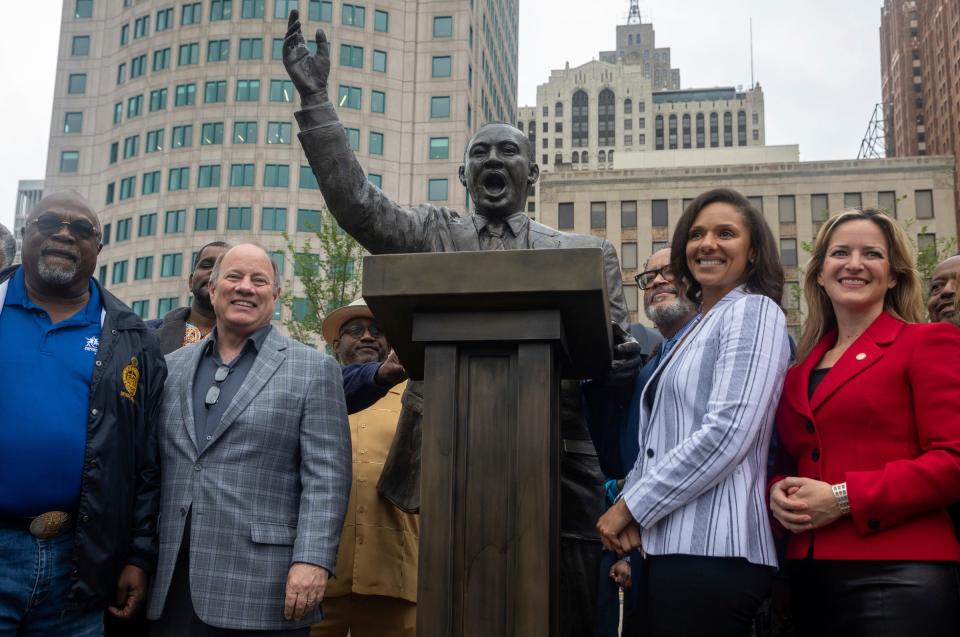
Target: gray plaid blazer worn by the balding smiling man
269	489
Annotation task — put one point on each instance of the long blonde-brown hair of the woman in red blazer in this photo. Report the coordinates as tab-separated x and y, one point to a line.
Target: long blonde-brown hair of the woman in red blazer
904	300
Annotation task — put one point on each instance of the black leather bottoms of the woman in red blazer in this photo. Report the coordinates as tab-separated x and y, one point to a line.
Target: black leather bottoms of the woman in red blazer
865	598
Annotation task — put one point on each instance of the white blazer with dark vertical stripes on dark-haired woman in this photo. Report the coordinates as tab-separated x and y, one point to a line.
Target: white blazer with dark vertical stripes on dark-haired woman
699	484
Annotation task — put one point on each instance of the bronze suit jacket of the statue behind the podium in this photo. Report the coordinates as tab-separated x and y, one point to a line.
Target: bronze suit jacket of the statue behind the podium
383	227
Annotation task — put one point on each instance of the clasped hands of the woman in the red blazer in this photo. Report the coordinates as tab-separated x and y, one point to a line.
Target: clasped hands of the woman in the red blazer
803	504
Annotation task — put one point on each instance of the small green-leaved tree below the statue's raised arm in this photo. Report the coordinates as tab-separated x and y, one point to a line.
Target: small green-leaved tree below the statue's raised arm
330	274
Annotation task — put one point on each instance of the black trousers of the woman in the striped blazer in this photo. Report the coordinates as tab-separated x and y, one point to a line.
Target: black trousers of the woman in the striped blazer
690	596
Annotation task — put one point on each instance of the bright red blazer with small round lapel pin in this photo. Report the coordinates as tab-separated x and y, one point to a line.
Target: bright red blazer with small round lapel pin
885	420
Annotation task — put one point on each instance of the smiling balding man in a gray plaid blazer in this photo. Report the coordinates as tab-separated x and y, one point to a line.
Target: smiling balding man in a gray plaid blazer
256	463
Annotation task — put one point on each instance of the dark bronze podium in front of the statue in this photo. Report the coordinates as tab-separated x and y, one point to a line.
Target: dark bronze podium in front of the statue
491	334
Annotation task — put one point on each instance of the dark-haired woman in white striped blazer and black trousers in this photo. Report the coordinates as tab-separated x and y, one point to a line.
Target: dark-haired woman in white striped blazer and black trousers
695	499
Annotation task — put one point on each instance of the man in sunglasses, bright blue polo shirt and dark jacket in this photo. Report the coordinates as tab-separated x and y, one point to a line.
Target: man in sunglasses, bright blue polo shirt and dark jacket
82	379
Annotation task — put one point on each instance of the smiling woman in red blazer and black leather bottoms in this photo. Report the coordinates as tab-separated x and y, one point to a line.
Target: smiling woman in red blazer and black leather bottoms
869	423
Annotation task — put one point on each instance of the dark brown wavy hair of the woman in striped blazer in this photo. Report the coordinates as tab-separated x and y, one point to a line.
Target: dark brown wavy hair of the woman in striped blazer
764	273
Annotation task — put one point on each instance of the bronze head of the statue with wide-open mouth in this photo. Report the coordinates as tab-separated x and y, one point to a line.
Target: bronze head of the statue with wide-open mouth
497	171
